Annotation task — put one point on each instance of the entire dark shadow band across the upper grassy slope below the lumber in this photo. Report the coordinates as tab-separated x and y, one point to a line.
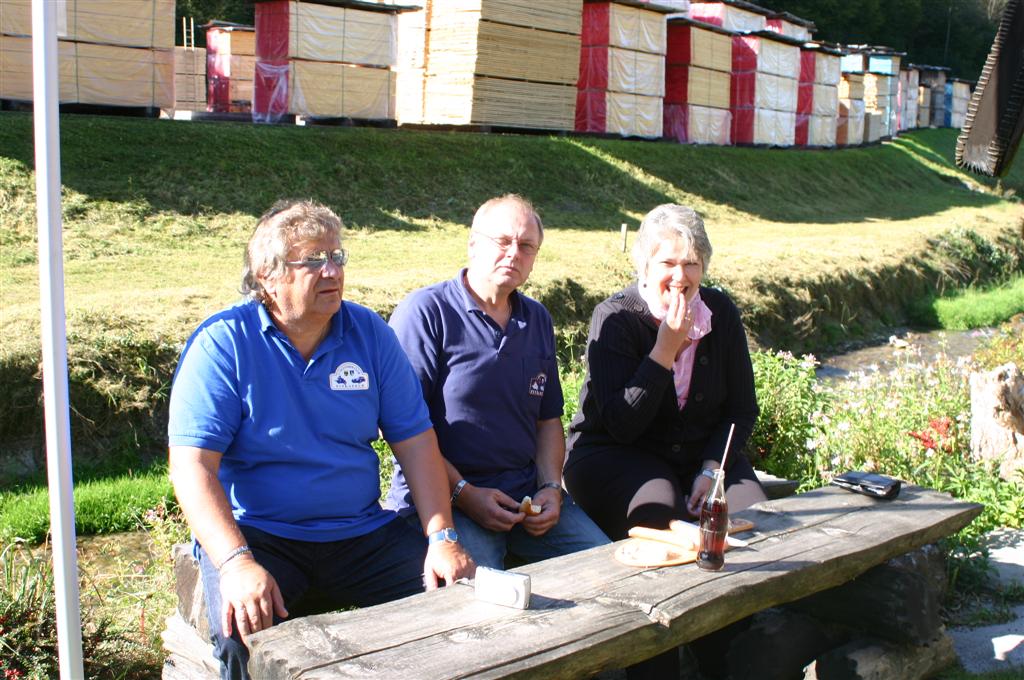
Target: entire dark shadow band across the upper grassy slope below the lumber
399	180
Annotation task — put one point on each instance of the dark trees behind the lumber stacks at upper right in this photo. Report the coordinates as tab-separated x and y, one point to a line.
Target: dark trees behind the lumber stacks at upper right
951	33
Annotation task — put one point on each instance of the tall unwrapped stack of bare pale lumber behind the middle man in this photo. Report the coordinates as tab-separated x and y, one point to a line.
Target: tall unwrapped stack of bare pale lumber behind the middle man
505	64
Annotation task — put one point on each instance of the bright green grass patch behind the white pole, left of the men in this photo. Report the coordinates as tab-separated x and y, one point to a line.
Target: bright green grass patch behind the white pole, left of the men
102	506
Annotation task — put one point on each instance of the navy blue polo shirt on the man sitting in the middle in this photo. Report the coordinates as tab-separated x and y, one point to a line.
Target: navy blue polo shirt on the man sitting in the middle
486	389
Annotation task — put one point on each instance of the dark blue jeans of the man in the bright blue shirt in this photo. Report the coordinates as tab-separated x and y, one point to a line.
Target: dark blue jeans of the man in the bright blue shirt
386	565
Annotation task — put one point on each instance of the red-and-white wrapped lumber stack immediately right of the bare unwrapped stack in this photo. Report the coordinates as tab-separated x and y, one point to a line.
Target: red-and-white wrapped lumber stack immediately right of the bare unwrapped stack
621	88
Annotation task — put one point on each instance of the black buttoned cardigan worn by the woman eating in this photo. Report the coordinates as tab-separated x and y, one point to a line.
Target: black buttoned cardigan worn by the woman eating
629	401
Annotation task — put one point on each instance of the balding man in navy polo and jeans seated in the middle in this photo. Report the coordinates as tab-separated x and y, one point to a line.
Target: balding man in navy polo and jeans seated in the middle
486	358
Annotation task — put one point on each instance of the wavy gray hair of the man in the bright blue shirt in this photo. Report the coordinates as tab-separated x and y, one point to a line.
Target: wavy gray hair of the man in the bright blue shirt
285	225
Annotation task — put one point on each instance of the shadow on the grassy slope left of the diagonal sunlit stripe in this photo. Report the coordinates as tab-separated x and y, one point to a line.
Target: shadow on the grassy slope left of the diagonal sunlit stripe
385	180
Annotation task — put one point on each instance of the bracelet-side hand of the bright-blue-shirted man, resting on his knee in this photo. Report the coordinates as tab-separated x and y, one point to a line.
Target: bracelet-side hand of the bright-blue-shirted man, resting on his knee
250	598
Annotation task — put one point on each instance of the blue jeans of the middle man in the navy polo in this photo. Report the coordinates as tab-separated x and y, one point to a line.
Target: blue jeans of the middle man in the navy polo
574	532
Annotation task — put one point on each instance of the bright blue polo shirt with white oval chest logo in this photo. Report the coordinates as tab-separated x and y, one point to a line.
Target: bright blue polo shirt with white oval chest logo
295	435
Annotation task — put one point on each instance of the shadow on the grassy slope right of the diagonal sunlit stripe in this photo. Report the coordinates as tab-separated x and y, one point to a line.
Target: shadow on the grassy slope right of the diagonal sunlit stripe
802	186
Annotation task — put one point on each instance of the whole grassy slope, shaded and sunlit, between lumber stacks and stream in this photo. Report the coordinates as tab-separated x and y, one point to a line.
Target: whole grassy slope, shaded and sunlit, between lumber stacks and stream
157	212
